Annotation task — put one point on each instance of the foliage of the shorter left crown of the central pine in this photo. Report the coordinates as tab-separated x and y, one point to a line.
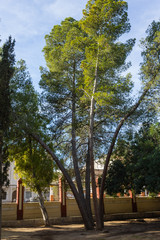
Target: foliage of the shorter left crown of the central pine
64	52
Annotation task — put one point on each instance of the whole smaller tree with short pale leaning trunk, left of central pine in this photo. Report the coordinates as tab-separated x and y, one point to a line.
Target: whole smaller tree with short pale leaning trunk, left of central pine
32	164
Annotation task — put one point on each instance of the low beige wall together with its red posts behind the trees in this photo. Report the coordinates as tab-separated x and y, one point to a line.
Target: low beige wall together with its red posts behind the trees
65	207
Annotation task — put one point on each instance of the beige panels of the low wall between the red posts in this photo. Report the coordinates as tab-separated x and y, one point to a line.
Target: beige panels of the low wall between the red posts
111	206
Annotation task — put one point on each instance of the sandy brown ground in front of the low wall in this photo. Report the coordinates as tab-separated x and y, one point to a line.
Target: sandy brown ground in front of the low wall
145	229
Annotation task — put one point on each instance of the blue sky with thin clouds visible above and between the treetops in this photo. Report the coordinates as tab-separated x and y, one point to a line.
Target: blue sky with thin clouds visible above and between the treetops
28	21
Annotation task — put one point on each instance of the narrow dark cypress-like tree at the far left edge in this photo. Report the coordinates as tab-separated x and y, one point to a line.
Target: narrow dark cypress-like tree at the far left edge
7	60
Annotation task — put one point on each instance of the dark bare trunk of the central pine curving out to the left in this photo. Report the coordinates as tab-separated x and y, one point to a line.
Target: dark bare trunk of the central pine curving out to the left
87	222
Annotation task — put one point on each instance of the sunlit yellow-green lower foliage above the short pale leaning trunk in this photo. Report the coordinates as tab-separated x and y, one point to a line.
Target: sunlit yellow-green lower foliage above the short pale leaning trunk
34	166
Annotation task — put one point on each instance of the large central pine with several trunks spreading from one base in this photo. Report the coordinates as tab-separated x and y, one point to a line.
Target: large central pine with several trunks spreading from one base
87	97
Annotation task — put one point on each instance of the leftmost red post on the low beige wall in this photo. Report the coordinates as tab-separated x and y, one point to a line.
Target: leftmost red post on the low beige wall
20	198
